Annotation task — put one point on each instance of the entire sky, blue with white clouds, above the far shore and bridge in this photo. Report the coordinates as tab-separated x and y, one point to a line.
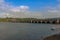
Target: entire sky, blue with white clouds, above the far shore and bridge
30	8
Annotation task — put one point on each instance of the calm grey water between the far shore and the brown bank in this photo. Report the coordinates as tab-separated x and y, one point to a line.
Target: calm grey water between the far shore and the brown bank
25	31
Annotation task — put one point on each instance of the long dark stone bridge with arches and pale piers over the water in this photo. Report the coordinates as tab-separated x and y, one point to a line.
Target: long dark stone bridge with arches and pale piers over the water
45	21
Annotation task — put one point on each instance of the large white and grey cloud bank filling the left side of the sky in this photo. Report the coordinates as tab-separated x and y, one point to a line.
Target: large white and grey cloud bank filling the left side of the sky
18	11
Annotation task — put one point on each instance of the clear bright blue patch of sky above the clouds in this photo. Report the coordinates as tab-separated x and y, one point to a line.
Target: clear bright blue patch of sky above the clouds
33	4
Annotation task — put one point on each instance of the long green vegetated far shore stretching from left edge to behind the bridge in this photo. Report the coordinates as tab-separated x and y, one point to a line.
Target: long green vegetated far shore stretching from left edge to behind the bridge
23	20
